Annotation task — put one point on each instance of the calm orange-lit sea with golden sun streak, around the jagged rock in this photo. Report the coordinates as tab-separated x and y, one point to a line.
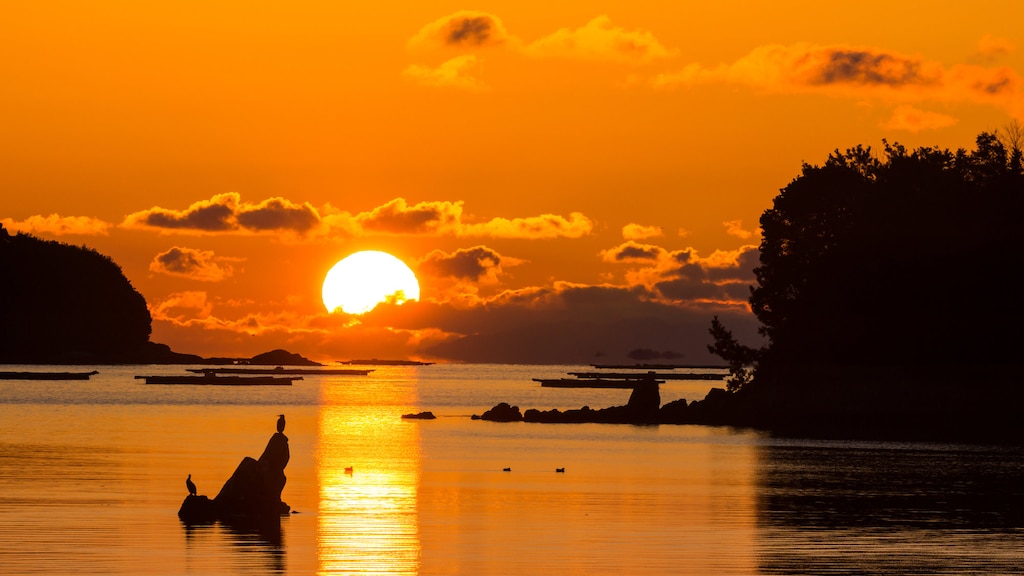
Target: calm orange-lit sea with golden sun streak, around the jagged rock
93	474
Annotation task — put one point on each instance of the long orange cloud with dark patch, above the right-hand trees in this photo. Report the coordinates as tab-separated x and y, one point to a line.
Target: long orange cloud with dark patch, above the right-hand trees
858	73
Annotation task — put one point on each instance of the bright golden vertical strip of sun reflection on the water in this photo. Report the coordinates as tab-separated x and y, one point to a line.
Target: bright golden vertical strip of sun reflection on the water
368	471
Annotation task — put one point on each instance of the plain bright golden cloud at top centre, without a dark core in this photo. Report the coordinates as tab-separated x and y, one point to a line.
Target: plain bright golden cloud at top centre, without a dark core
601	40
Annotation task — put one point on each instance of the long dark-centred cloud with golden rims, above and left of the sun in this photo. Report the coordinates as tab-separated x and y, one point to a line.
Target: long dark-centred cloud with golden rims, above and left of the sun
227	214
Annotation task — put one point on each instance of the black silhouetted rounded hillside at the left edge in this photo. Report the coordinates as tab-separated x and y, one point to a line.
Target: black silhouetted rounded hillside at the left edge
68	305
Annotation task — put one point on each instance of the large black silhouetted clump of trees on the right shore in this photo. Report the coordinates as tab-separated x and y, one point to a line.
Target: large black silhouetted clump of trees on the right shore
885	268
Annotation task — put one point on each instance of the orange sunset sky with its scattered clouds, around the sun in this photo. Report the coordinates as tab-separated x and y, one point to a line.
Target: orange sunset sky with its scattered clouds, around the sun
571	183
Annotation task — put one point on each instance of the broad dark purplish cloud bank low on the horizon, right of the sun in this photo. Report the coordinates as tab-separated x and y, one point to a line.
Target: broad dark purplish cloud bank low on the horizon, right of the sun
569	323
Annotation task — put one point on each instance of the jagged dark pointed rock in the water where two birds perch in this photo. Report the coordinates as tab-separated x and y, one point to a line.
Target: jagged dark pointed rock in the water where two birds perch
253	492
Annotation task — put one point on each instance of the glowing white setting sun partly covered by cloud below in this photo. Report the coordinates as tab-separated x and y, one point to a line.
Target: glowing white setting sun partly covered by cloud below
360	282
